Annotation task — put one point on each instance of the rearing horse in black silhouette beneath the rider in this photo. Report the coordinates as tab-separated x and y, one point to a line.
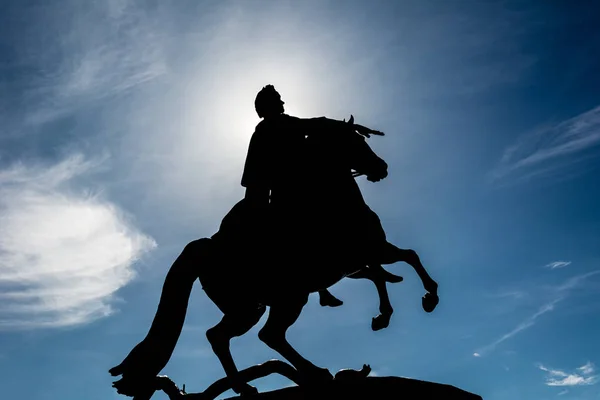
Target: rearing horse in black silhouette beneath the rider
243	283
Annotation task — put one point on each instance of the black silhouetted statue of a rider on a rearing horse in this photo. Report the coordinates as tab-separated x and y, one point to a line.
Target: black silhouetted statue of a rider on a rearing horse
302	227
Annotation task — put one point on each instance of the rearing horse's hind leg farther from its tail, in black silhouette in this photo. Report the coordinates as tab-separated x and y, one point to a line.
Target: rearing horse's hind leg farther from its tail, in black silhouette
281	316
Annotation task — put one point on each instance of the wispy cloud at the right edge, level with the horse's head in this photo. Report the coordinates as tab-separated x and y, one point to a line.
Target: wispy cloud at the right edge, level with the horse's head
550	149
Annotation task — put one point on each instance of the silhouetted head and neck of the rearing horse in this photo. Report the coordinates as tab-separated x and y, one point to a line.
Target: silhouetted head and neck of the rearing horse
344	152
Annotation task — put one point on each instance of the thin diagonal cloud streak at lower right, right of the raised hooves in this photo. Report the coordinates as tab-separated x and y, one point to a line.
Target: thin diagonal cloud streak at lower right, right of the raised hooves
559	294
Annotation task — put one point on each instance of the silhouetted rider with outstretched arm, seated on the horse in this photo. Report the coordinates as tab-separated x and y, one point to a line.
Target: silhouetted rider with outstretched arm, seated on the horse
275	173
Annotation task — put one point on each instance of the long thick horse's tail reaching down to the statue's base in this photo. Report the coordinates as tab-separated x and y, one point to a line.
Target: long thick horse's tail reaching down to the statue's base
151	355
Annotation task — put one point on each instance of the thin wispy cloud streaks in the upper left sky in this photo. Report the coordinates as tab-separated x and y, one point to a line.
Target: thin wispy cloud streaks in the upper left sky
106	49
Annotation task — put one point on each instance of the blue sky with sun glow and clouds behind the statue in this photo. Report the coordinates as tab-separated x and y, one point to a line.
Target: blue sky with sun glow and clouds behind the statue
123	131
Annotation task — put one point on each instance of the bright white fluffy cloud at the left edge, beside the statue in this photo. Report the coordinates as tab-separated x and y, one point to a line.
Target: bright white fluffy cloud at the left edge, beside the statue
63	254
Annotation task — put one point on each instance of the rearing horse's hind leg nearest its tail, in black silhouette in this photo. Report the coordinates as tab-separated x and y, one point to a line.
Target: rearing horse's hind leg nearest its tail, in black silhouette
220	335
